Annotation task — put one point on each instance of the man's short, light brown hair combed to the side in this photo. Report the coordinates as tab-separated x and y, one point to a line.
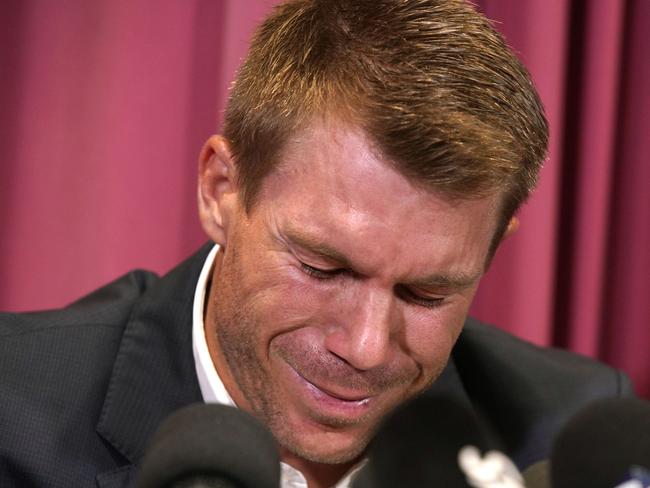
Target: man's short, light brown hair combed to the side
431	82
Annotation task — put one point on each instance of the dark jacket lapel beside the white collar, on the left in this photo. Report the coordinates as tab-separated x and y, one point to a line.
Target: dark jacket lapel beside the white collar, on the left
154	372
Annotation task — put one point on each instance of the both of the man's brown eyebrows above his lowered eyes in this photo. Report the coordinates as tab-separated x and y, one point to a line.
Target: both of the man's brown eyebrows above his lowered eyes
315	246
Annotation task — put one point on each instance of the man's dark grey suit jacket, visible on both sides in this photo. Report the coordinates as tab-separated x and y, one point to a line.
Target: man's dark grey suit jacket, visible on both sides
83	388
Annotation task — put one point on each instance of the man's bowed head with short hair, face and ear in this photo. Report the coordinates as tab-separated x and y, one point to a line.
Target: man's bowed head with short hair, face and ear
374	152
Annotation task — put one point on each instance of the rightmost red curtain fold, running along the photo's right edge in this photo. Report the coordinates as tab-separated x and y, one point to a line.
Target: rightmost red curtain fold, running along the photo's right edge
626	299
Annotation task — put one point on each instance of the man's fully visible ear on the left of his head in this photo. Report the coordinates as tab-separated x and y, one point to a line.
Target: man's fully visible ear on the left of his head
217	190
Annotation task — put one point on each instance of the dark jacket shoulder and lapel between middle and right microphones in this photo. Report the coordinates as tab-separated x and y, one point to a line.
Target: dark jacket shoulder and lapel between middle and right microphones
527	393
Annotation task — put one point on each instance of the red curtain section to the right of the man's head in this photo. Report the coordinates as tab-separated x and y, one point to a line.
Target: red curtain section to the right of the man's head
580	267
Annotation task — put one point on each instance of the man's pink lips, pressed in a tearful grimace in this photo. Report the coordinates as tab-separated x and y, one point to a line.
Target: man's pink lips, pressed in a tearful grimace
330	402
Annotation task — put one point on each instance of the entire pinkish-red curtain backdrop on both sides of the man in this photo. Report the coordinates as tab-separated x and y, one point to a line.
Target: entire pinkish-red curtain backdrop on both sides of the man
104	106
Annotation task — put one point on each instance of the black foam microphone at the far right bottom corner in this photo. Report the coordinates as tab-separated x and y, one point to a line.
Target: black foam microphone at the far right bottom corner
604	445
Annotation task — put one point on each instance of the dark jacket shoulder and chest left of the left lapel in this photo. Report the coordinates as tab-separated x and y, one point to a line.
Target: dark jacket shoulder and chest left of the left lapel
56	366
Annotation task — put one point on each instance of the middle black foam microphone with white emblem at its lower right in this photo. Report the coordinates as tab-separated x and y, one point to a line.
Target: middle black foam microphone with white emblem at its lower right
435	441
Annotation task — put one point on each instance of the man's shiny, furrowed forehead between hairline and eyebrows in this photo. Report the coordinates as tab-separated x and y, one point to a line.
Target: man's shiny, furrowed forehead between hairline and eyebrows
334	184
